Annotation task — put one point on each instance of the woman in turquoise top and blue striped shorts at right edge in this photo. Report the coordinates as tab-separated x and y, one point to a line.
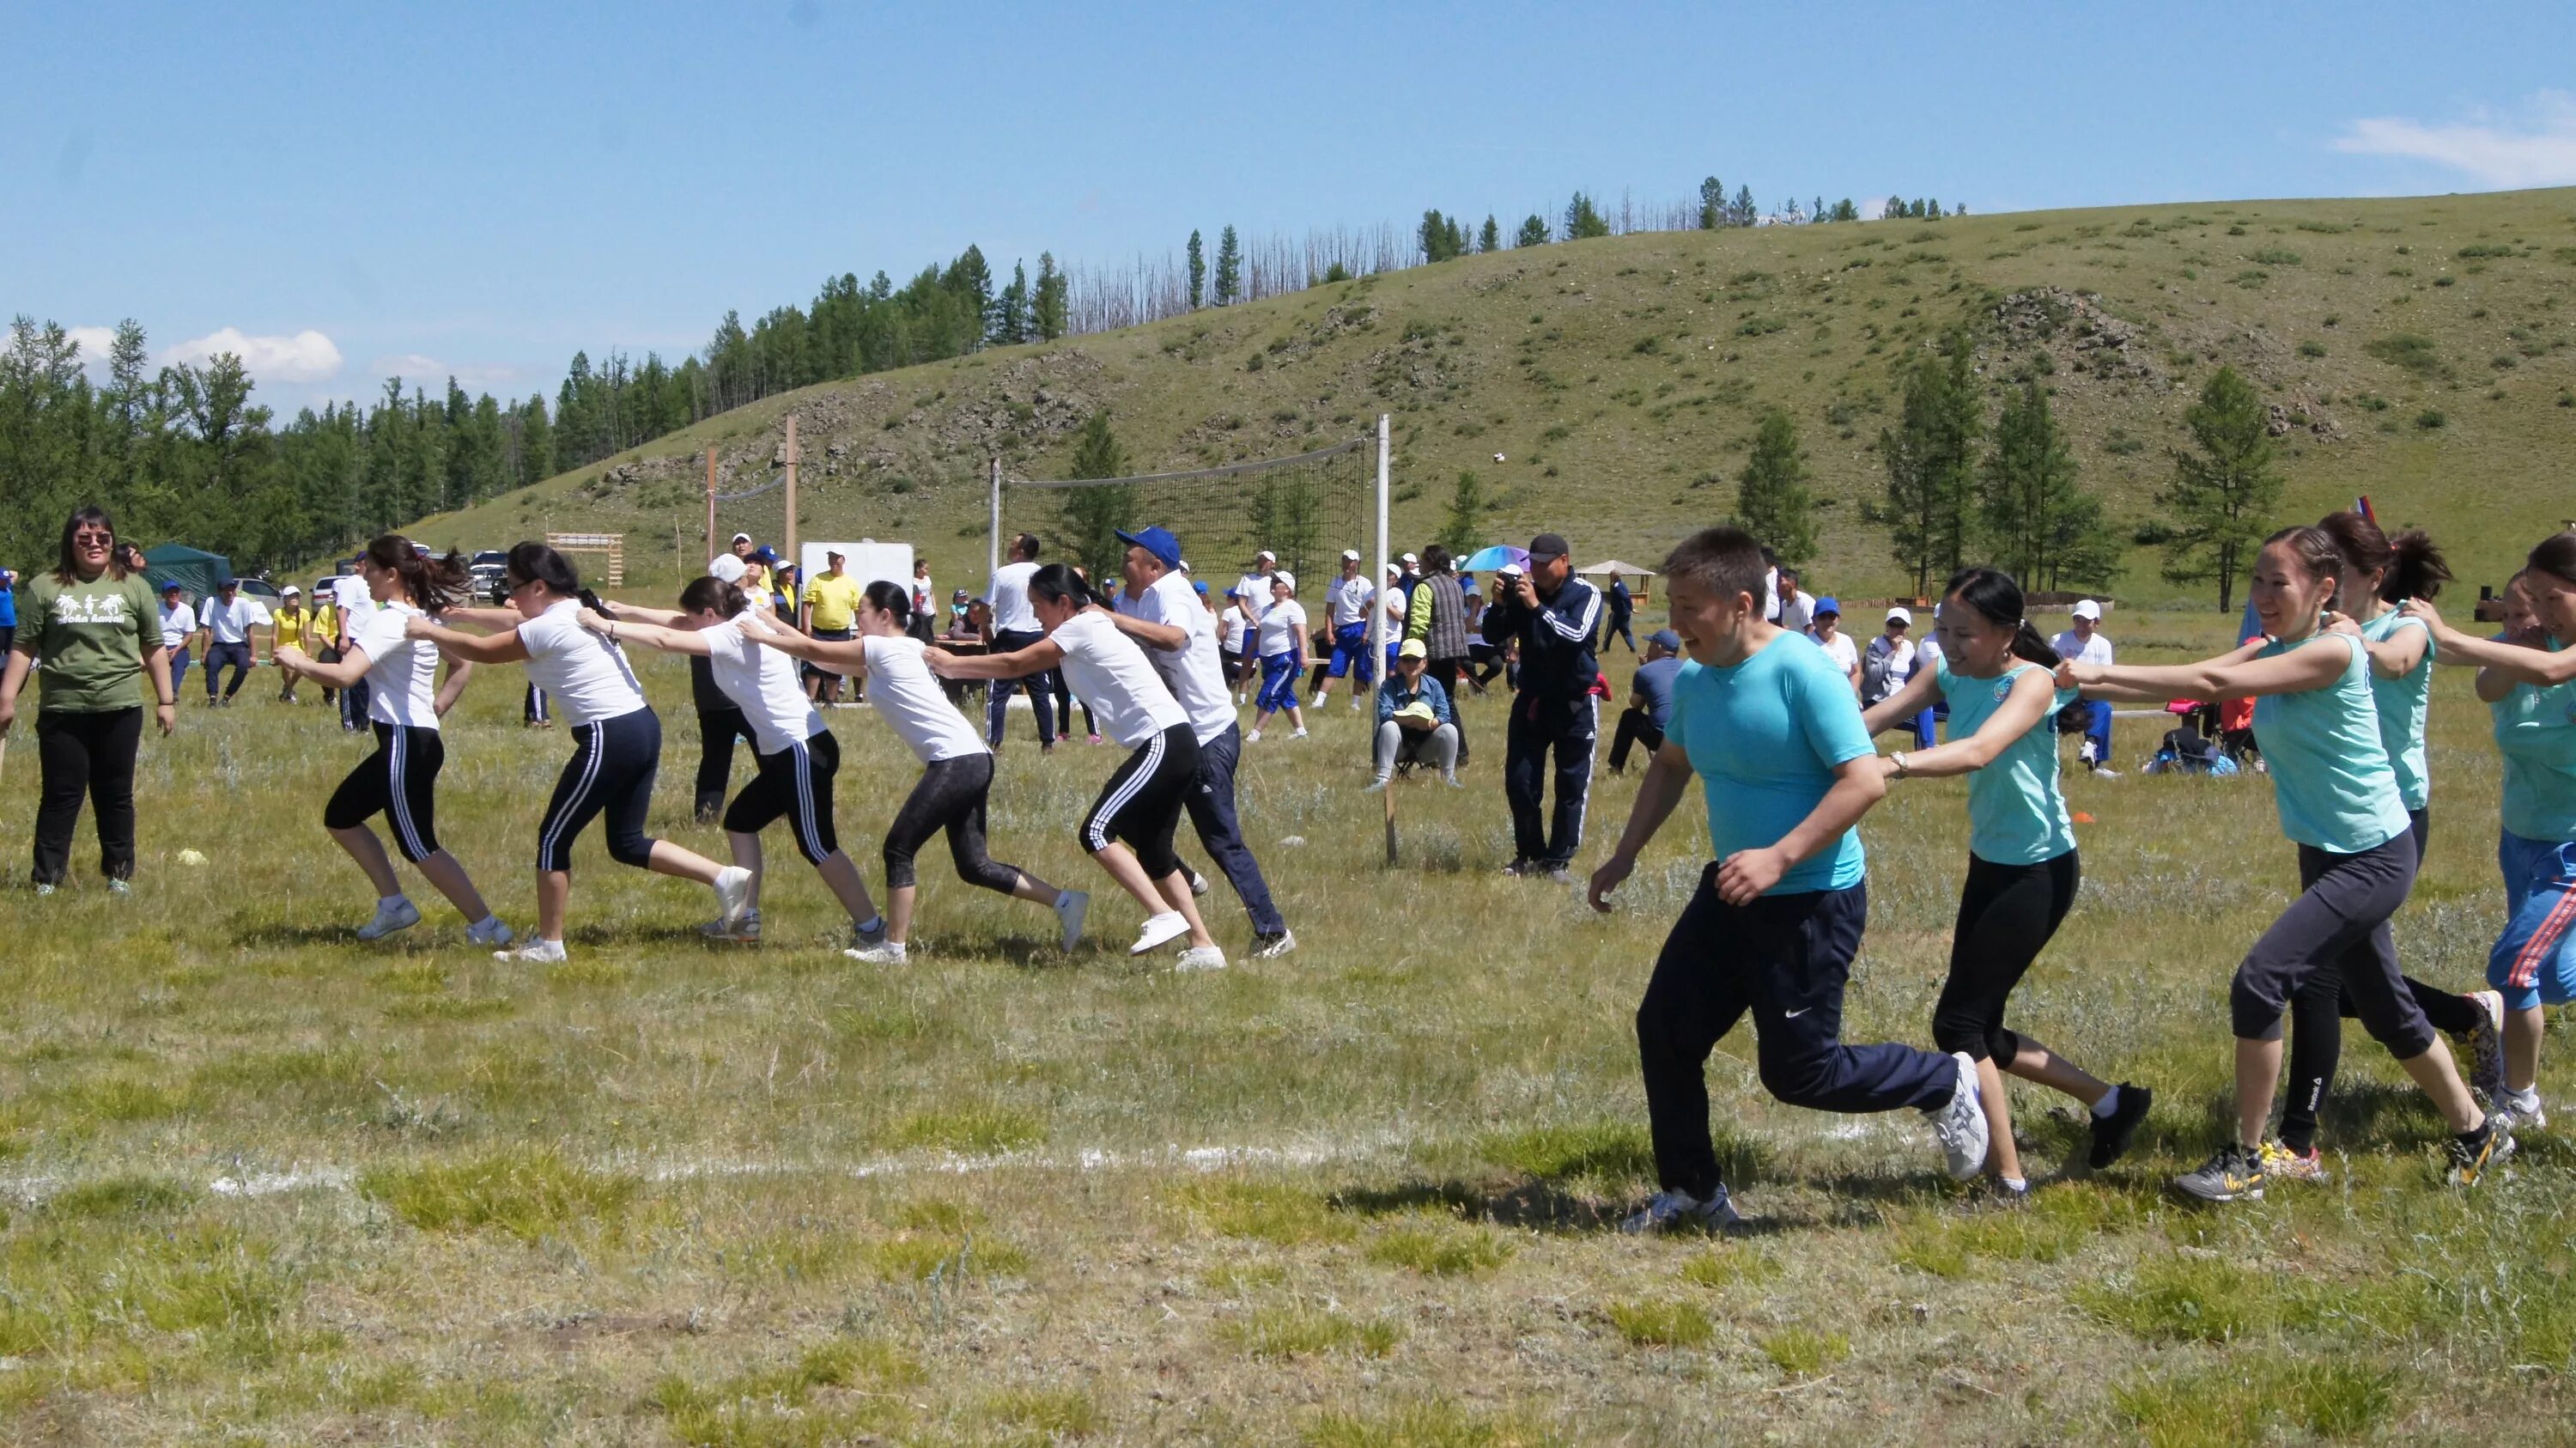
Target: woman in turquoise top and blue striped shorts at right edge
2531	684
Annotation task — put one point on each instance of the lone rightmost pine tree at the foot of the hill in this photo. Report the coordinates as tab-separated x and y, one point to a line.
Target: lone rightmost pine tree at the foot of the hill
2222	496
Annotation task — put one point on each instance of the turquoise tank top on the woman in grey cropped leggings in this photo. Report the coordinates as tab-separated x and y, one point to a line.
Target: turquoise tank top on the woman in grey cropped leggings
2330	772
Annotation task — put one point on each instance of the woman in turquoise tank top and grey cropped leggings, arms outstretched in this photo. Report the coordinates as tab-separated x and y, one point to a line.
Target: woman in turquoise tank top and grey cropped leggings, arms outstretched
2356	854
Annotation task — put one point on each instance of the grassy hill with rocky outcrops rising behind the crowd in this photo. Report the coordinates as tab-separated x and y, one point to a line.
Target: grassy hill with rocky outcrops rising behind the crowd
2420	352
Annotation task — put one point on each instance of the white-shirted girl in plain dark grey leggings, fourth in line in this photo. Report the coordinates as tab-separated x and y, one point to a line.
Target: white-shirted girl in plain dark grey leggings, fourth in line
957	769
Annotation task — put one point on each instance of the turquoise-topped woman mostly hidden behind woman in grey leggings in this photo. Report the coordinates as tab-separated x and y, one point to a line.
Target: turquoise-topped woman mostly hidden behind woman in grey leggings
2379	576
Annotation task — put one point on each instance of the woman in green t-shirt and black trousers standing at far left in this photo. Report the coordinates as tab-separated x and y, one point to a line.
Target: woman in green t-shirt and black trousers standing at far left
94	627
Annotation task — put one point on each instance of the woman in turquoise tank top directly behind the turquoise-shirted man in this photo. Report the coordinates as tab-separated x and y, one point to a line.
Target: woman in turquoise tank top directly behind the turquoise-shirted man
1995	674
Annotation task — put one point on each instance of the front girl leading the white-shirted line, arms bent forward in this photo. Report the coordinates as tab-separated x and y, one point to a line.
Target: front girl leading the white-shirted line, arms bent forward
406	705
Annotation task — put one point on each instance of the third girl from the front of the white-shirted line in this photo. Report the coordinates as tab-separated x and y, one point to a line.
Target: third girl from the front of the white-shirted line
792	748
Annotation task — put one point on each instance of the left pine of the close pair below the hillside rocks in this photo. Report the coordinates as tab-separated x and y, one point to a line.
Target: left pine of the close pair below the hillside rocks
1933	465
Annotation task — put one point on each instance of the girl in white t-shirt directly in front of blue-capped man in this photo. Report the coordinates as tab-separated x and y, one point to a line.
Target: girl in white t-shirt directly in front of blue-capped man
1130	828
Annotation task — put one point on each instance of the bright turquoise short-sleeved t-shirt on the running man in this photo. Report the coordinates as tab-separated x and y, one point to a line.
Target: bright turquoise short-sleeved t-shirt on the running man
1766	738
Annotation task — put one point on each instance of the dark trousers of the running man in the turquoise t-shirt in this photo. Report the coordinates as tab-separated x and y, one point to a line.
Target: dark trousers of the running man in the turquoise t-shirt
1784	957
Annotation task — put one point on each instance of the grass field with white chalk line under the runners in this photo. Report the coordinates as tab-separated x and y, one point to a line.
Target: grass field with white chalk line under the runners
272	1186
